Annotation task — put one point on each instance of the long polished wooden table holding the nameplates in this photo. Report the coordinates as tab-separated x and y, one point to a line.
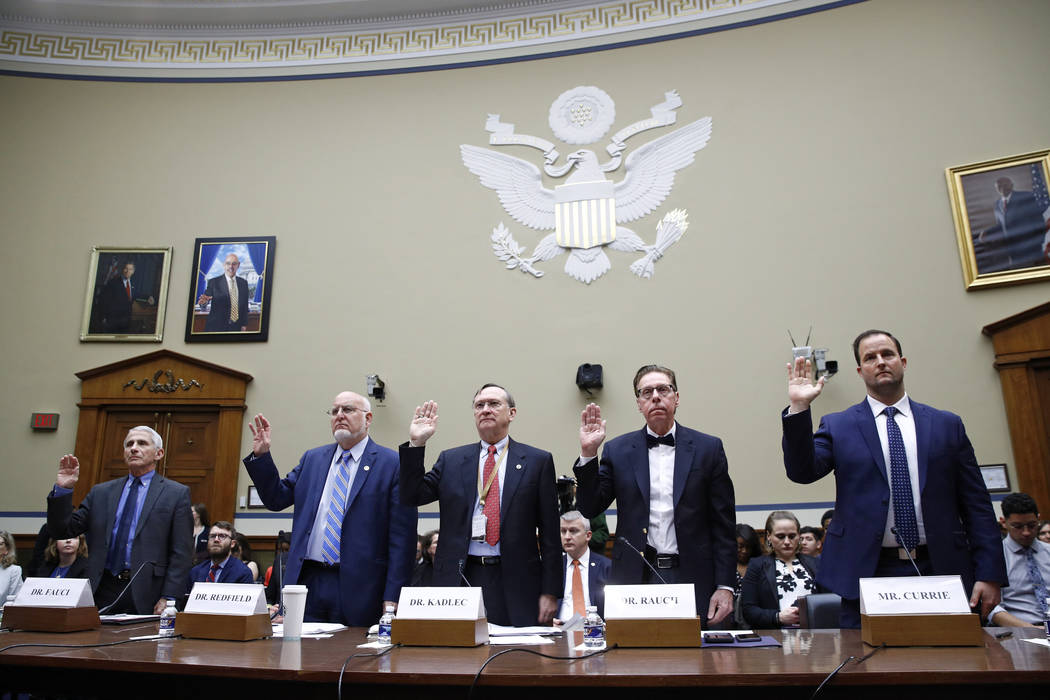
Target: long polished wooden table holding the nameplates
310	669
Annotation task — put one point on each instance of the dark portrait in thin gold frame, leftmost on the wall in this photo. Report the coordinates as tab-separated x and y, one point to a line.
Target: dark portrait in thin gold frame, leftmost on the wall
128	293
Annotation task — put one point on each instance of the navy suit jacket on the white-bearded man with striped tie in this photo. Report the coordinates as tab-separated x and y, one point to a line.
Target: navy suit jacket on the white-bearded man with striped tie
379	546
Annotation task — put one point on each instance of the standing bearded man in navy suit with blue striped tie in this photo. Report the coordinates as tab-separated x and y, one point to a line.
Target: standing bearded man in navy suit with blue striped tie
353	539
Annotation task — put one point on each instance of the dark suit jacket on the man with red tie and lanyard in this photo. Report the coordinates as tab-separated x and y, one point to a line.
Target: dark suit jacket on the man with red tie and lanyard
530	504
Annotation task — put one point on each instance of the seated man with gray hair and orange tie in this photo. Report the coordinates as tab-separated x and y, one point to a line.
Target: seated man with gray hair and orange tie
584	572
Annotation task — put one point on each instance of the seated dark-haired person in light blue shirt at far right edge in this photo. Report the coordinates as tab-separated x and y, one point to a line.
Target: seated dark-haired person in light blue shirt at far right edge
1027	565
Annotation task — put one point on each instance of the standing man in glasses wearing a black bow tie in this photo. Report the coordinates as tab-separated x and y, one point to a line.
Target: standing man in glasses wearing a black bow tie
674	495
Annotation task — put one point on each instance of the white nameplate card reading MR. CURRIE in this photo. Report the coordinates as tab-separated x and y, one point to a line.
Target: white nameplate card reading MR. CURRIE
913	596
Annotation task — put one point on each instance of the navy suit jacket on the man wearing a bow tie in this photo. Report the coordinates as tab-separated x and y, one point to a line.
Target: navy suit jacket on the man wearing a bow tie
705	508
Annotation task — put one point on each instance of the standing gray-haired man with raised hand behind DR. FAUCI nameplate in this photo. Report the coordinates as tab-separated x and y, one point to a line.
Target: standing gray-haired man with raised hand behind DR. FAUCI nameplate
141	521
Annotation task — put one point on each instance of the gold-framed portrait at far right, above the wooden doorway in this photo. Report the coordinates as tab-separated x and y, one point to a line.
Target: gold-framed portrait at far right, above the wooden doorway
1000	245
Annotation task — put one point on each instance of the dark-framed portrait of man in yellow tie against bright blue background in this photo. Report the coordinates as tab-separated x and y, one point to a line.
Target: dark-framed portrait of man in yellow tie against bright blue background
232	289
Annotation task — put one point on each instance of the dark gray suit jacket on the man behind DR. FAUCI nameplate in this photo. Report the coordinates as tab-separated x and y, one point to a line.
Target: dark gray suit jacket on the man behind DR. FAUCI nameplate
163	536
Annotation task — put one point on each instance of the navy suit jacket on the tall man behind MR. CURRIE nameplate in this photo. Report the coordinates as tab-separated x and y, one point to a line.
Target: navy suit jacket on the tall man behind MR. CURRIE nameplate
962	534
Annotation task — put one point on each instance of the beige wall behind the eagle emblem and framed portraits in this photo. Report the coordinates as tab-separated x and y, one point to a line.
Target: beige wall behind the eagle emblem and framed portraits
820	200
